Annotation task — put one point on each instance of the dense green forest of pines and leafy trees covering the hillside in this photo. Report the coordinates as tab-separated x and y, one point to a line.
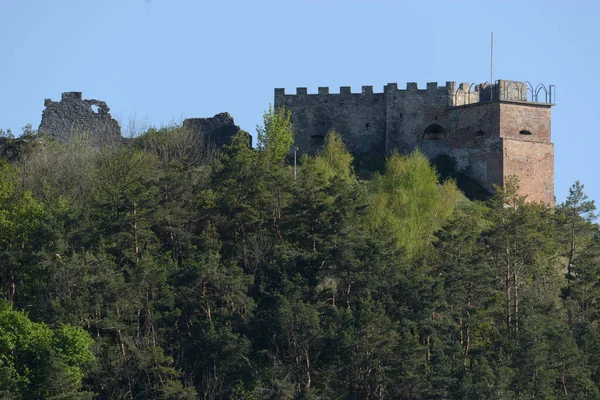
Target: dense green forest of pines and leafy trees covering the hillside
164	268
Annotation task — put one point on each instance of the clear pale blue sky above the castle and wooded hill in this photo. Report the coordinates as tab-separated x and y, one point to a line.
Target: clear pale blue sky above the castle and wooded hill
160	61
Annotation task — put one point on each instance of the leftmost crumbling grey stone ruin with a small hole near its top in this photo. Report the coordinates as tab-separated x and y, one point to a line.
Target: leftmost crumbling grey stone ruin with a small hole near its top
74	117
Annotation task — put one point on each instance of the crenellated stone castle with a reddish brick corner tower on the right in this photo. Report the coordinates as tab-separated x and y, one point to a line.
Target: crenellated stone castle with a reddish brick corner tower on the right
492	131
